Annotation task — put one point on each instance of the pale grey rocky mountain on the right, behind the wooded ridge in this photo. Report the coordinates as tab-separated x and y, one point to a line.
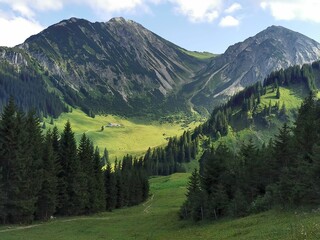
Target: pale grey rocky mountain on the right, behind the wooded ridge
250	61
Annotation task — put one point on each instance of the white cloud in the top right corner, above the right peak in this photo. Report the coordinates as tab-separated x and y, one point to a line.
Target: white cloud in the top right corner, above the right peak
305	10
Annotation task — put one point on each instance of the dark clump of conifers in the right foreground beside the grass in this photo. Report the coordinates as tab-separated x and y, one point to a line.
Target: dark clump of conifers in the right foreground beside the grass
283	173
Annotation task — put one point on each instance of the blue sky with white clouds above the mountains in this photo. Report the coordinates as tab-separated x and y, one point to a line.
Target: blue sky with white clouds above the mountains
197	25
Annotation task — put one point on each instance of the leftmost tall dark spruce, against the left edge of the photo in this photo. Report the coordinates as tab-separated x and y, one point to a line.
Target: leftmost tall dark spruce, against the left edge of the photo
18	181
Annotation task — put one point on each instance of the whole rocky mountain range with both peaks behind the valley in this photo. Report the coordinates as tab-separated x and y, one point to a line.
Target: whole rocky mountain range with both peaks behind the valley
121	67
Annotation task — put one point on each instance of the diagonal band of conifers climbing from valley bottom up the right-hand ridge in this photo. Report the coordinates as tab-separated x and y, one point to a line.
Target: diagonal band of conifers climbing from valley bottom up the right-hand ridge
241	111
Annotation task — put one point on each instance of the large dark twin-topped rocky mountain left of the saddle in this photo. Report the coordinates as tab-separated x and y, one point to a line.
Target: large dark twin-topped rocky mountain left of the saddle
116	66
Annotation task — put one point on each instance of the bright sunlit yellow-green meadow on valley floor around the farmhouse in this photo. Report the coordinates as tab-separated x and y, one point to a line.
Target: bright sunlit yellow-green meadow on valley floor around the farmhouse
134	137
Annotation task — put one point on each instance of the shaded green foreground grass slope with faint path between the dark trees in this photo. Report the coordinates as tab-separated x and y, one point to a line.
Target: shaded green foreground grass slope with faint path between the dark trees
158	219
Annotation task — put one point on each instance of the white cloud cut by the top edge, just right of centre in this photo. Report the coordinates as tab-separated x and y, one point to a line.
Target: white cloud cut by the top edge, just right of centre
199	11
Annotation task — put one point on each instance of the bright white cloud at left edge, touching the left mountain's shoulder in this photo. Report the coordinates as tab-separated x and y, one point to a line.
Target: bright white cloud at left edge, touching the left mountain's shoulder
15	30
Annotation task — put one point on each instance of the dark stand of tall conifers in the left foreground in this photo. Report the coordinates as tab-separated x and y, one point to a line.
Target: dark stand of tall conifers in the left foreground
42	175
